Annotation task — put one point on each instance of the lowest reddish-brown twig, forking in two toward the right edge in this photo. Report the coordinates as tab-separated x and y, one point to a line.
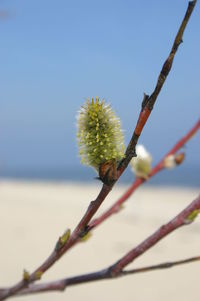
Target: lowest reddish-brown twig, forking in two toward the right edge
117	269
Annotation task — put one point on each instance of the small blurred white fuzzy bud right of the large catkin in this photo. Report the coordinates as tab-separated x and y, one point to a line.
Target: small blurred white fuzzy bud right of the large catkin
141	165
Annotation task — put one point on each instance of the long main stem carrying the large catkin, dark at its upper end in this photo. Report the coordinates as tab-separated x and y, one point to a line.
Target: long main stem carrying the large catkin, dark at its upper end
147	107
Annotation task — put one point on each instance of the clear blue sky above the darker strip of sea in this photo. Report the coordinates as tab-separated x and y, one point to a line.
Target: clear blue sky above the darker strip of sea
55	54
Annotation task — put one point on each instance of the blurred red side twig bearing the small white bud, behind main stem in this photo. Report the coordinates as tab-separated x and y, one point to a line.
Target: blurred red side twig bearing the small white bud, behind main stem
139	181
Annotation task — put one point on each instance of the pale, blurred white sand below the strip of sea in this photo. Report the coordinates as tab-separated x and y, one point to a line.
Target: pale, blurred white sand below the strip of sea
34	215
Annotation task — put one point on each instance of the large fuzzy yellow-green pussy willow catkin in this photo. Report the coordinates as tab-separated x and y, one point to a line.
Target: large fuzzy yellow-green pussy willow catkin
100	137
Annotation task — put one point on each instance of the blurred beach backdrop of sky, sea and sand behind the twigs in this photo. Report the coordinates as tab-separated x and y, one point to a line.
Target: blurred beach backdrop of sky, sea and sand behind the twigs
53	56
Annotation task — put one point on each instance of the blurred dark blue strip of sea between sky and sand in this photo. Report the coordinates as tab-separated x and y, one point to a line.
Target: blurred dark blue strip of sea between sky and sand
180	176
